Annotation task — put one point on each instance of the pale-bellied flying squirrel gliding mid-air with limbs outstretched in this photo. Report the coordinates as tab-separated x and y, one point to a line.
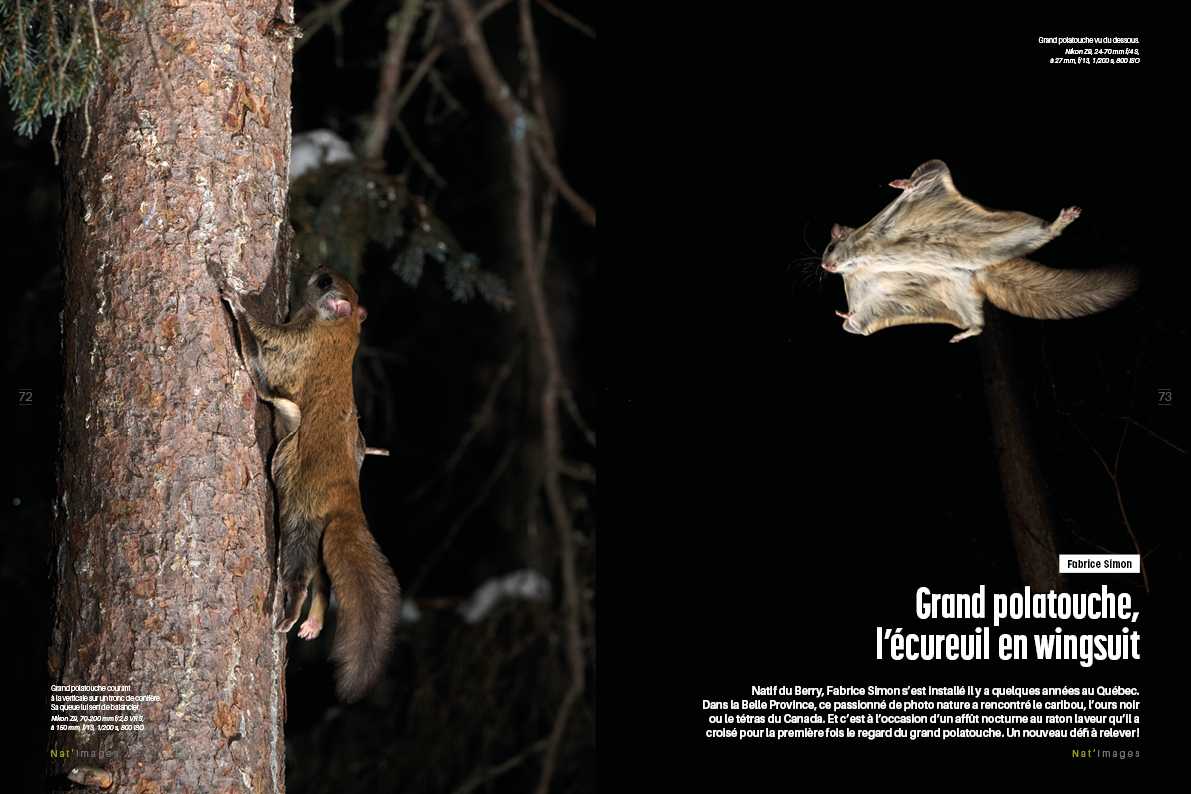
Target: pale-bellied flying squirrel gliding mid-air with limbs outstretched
933	257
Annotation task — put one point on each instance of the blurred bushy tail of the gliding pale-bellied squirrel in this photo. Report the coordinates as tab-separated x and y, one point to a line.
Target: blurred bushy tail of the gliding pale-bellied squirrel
1031	290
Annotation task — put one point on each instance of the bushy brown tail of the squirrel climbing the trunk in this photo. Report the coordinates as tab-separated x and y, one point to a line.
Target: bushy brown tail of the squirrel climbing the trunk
370	605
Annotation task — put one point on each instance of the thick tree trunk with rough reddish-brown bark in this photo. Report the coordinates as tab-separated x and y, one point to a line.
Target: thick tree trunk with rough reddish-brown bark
164	542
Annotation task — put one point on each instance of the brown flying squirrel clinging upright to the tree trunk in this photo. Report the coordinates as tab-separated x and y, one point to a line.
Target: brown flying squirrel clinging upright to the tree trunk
304	370
